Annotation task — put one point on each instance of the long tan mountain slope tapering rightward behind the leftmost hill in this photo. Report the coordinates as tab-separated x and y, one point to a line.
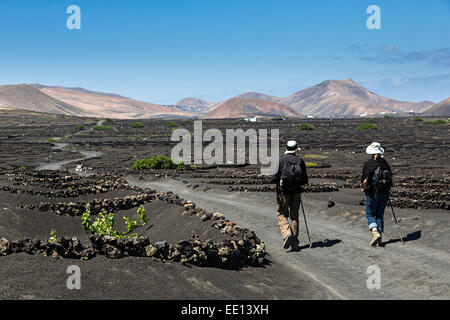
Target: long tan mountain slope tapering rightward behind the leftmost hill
98	104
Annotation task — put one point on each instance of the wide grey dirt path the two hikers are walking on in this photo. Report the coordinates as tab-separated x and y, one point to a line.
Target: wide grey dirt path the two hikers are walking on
341	256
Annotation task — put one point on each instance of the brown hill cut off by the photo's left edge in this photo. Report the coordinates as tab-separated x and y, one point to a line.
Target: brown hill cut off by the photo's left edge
26	97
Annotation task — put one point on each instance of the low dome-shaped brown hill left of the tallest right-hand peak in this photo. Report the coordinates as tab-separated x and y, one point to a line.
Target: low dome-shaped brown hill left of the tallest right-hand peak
245	107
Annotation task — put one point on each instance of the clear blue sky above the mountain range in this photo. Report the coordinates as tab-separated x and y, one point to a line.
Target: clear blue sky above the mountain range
164	50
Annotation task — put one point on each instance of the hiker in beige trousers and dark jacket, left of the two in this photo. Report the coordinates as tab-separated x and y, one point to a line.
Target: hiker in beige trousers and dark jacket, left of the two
291	175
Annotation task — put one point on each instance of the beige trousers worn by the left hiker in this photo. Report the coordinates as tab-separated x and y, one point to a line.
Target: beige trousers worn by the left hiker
288	205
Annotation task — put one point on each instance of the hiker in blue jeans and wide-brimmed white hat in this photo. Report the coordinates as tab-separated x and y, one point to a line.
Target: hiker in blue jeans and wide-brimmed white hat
376	196
